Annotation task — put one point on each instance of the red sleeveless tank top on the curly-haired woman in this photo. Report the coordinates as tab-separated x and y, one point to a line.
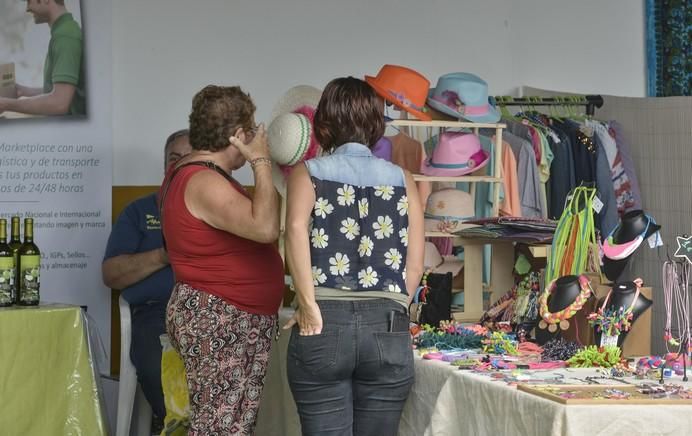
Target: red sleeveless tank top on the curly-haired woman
245	273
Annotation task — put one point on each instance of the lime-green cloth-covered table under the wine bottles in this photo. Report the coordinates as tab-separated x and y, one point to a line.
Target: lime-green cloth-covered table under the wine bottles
48	384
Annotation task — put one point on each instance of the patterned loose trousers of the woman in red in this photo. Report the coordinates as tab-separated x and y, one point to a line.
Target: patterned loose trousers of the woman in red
226	353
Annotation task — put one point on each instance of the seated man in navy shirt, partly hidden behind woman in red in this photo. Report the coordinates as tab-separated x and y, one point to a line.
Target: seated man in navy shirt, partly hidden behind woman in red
136	262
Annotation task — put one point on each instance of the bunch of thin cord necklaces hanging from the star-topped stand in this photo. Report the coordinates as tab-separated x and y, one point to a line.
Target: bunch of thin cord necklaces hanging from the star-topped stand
676	293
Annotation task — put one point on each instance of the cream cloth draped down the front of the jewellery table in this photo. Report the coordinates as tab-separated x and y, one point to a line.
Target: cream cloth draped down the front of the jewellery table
447	401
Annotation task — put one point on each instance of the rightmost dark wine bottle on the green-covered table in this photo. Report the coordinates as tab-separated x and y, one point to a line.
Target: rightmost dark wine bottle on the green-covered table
30	266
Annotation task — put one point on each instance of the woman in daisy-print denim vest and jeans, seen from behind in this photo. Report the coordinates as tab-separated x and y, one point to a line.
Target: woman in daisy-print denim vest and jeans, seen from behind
354	244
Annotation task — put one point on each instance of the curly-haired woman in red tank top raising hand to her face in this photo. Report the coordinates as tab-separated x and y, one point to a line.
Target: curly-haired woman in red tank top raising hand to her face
229	275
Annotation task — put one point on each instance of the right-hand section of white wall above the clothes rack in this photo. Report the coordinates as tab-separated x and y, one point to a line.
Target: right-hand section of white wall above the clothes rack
585	46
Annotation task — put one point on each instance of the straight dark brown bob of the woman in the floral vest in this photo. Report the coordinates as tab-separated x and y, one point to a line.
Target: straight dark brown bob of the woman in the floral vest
349	111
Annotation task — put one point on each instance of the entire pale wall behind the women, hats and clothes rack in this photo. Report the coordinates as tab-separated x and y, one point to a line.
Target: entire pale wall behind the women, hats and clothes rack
166	50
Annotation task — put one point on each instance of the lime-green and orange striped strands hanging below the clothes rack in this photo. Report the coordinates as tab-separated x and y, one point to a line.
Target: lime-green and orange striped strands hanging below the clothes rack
575	237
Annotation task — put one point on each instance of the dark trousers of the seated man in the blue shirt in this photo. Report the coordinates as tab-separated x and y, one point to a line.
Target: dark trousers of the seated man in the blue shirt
148	323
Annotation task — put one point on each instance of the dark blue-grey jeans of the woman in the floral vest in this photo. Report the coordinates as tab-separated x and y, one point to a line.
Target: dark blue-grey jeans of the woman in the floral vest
354	377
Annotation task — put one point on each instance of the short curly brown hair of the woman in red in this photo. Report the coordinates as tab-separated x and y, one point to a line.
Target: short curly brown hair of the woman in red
217	112
